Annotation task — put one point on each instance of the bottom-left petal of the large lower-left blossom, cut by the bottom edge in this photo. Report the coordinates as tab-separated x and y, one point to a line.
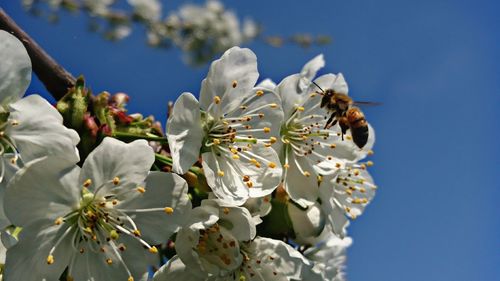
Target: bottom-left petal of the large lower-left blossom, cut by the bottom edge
27	260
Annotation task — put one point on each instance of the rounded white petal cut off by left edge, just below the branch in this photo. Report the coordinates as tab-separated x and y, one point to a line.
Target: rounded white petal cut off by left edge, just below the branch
15	69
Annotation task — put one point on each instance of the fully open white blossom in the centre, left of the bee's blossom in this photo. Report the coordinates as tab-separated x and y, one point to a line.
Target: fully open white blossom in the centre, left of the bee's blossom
233	131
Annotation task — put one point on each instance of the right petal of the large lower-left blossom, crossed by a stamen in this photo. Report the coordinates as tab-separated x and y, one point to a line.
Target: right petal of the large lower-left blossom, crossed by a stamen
162	190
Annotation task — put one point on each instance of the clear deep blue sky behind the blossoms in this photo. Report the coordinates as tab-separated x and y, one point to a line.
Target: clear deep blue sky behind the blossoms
433	64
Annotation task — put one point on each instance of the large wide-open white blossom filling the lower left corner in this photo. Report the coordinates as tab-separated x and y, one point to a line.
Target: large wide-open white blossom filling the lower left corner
101	221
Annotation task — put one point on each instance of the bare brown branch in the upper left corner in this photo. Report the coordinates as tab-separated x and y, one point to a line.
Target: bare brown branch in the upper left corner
55	78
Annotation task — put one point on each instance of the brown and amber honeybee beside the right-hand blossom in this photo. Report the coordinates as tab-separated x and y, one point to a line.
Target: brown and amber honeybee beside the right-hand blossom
344	112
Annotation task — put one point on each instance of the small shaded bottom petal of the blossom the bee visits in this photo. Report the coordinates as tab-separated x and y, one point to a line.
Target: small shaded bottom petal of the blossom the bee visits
301	182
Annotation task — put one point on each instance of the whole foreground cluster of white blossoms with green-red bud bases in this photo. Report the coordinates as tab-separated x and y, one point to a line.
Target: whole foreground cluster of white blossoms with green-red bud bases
248	183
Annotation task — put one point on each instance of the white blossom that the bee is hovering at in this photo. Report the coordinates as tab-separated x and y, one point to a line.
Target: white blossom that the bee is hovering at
307	148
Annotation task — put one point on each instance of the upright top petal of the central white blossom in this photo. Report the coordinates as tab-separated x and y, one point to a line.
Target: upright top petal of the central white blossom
236	65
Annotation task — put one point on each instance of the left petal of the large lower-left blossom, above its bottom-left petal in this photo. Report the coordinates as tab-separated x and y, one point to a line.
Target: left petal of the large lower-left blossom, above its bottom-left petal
45	188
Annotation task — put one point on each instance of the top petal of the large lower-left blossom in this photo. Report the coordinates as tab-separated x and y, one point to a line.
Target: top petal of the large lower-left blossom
117	166
